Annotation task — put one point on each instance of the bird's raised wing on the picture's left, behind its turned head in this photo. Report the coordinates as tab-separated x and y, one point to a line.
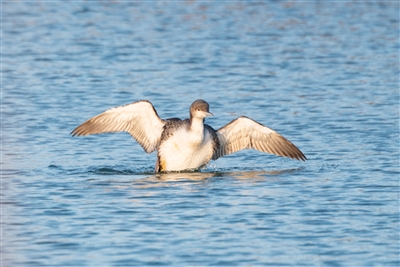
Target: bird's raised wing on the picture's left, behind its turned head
140	119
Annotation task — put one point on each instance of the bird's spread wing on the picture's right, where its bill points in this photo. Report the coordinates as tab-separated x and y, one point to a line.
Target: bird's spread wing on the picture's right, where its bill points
245	133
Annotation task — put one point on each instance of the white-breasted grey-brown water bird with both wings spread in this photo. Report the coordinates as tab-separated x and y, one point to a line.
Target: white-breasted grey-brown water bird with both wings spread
187	144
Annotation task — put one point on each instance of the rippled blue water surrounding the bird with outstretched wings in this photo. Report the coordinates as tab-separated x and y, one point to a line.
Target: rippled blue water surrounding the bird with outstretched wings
323	74
